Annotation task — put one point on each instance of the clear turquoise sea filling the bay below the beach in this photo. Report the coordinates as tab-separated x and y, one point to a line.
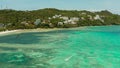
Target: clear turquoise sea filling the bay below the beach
91	47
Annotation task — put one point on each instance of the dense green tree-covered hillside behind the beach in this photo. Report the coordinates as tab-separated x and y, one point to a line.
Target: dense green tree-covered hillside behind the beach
13	19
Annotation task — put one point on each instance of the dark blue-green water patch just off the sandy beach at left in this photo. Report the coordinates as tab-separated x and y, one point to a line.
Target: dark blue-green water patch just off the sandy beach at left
23	38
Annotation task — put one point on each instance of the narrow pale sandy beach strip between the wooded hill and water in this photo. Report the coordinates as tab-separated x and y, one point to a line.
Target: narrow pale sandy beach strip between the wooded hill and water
40	30
